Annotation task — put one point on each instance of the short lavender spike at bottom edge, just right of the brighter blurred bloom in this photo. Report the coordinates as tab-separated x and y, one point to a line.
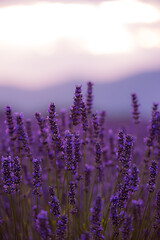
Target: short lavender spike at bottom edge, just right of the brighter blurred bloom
61	227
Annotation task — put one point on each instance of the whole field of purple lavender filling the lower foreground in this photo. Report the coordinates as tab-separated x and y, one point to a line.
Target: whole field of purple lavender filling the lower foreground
71	174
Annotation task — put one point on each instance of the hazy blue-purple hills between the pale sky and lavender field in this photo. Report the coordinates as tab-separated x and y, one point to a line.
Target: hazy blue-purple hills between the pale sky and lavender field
114	97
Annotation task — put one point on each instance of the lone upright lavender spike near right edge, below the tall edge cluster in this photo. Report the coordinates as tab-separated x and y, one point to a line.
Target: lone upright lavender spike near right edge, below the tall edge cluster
153	174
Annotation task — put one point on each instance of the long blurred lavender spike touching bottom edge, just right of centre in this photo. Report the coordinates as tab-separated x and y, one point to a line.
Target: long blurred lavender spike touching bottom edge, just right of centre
96	227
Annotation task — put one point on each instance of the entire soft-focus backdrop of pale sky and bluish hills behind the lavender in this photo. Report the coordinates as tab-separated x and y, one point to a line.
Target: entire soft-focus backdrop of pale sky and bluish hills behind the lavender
47	47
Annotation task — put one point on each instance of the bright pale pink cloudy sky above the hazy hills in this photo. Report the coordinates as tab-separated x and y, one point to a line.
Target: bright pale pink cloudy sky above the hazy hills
44	43
